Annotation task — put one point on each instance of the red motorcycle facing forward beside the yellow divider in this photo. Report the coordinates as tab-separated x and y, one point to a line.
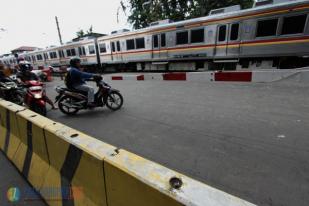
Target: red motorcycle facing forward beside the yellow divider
34	97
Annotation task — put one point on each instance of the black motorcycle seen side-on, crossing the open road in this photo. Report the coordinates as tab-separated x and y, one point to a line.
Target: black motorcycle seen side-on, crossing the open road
70	101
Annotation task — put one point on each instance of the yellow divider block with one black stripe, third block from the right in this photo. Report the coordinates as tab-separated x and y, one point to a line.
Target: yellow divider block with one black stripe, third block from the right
31	158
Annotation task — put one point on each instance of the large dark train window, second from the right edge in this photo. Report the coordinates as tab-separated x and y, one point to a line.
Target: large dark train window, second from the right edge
267	27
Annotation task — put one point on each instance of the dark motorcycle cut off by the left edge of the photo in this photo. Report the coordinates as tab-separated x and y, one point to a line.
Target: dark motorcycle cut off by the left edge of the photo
11	91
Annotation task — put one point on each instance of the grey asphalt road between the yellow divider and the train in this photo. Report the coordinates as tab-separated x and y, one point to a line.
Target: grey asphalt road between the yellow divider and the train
250	140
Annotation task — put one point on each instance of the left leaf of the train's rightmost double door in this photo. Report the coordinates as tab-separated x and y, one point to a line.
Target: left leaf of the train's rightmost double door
221	40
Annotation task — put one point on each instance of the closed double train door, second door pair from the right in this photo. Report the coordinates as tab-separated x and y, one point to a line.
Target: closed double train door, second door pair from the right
159	50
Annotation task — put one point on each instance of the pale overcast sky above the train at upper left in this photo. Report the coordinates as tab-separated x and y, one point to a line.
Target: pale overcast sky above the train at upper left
32	22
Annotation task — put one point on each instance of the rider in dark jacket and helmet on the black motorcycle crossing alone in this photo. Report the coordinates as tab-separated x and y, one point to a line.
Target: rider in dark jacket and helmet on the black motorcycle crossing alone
75	79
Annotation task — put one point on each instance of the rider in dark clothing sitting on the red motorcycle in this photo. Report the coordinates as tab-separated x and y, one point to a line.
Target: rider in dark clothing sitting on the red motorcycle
25	75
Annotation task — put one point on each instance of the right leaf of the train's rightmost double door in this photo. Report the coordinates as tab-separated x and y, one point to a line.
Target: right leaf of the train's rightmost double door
233	47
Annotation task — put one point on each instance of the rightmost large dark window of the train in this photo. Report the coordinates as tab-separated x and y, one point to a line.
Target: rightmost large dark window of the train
294	24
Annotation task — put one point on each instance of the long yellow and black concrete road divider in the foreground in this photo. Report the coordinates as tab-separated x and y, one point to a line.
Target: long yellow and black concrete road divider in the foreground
68	167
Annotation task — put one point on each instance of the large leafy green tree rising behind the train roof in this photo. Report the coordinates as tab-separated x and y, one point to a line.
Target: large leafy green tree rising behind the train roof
144	12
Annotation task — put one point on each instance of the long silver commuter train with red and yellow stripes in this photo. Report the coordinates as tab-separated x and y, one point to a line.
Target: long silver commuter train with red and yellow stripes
272	34
